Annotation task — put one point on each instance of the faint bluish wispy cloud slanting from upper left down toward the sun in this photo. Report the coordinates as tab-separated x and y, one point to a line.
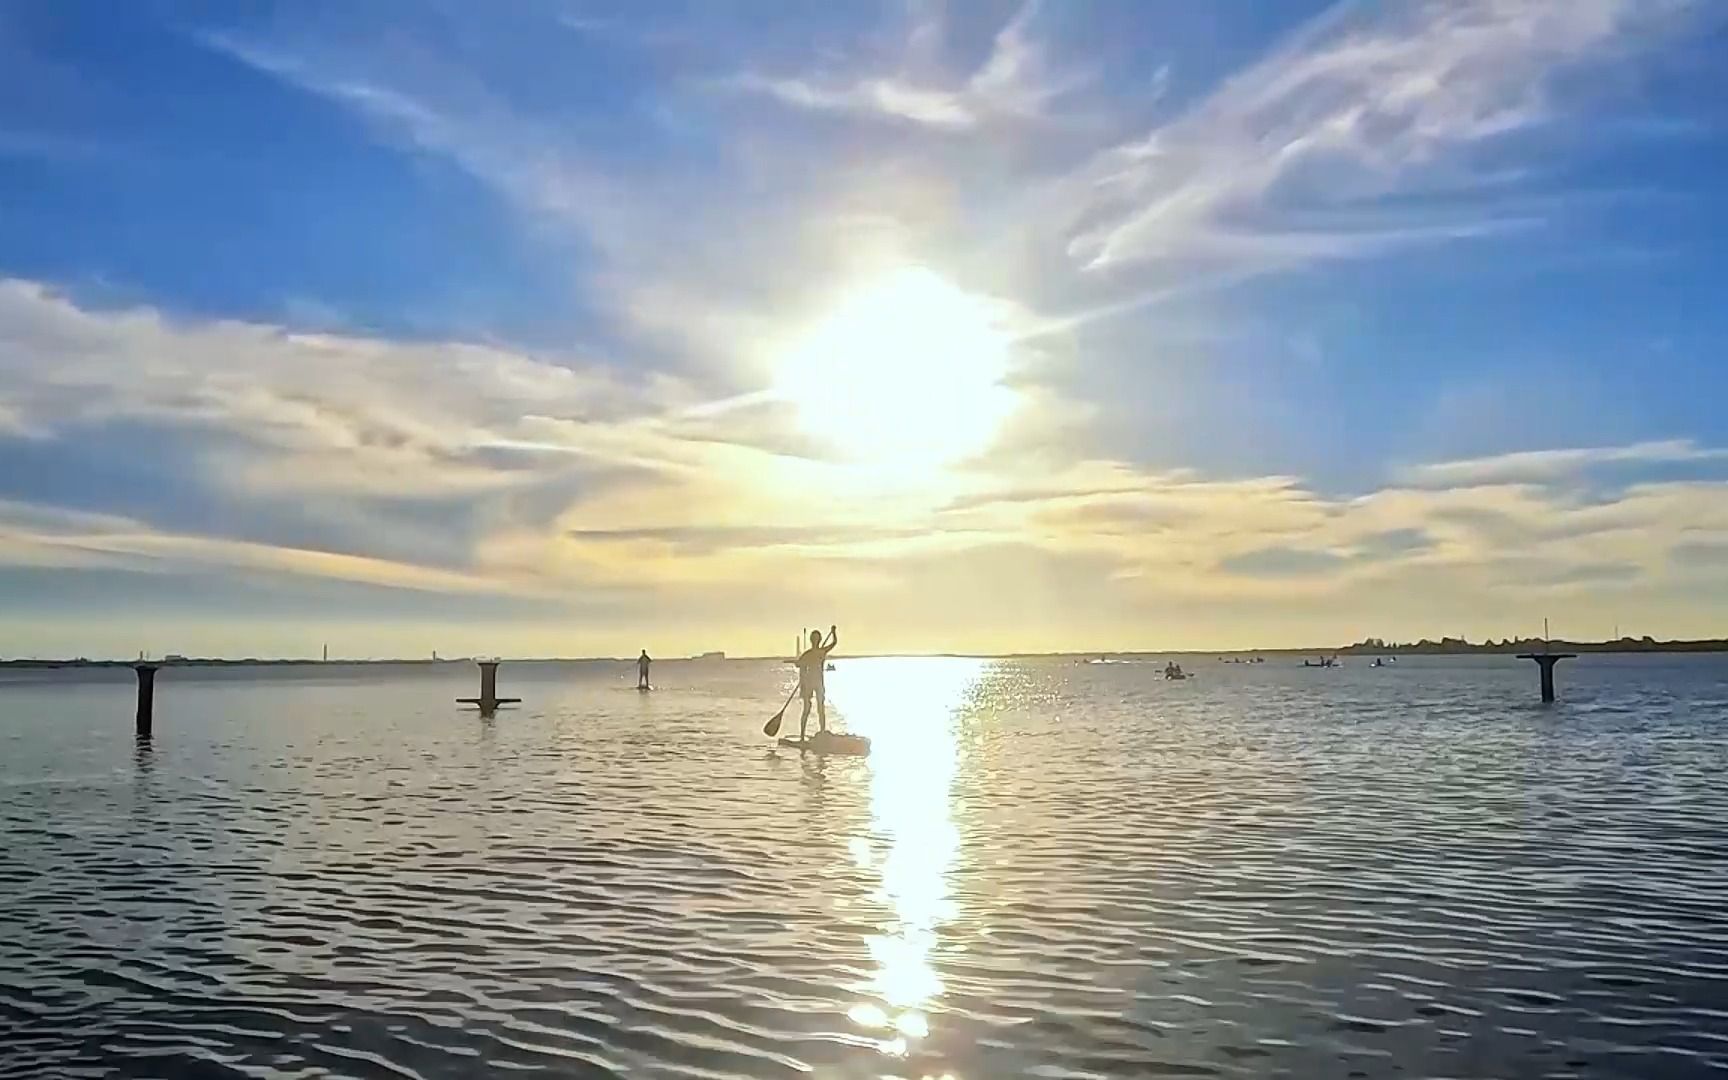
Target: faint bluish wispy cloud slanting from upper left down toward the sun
670	284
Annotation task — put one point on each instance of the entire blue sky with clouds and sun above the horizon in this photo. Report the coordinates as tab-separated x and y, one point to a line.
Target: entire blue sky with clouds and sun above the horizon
578	327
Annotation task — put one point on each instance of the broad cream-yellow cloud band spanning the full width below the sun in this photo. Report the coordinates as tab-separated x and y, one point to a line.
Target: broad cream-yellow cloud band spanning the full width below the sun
704	519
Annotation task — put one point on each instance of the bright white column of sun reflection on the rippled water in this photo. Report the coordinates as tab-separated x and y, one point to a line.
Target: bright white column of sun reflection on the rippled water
910	709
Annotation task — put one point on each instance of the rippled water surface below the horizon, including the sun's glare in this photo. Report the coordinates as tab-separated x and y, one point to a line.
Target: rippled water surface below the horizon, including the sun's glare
1045	870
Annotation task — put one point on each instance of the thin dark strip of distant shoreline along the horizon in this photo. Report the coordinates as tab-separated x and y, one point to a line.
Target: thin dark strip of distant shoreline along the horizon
1445	647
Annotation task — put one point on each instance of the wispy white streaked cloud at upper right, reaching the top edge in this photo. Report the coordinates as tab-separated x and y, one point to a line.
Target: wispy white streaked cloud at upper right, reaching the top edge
1366	103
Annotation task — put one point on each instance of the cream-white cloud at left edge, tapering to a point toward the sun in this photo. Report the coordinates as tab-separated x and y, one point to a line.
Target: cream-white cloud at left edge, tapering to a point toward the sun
398	417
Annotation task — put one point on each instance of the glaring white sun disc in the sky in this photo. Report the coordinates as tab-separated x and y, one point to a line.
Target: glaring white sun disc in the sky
903	374
